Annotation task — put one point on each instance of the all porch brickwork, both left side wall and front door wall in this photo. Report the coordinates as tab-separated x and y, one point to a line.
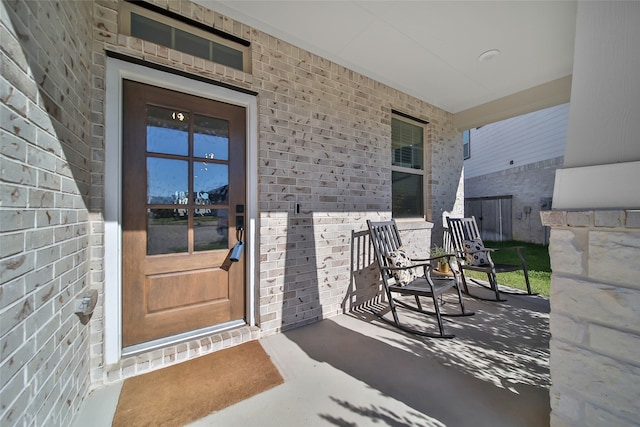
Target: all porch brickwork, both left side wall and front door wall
324	142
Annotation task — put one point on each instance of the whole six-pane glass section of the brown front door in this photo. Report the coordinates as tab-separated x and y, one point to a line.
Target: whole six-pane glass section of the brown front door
192	184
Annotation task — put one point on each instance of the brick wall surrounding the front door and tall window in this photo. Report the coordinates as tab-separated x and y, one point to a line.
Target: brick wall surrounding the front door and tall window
324	142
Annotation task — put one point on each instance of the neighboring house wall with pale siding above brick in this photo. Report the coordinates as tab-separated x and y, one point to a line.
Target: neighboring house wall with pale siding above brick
534	142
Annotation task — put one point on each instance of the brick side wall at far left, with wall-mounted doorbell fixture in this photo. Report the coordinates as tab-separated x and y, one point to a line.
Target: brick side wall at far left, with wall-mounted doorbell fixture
45	134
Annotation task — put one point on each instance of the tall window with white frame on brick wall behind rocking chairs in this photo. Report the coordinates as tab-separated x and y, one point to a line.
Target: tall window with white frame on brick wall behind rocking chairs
407	168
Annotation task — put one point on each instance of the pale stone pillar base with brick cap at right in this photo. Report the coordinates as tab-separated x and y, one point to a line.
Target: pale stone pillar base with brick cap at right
595	307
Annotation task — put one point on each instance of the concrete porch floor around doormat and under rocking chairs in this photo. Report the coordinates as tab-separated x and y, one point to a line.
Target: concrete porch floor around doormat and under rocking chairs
354	370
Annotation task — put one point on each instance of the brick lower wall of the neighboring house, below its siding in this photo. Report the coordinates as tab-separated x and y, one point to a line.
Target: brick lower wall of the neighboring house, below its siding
527	184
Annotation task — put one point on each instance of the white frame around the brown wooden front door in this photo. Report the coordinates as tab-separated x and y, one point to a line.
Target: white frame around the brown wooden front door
116	71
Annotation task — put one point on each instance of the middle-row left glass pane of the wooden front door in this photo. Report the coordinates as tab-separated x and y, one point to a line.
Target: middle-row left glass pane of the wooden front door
167	181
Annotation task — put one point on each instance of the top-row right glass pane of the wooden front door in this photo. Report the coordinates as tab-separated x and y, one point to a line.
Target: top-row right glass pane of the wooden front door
210	138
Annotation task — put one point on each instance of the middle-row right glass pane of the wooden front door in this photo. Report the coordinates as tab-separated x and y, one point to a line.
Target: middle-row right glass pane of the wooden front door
210	183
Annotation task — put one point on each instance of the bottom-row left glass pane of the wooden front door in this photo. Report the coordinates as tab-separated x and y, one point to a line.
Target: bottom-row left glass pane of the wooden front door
167	231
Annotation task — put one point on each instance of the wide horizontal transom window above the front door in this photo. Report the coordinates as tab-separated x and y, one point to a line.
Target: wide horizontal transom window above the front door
181	34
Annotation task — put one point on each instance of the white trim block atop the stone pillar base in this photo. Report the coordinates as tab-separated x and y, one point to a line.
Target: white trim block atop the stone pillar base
598	187
